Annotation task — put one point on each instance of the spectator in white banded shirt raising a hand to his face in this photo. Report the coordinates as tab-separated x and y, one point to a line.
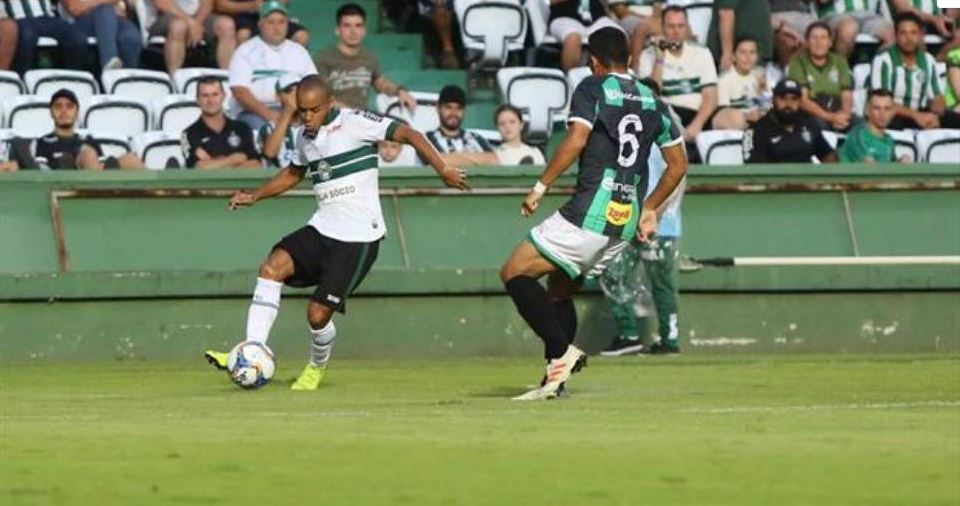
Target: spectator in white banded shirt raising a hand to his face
684	71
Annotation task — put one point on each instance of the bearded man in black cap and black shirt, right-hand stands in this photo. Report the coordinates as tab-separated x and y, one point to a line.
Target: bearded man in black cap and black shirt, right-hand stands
785	133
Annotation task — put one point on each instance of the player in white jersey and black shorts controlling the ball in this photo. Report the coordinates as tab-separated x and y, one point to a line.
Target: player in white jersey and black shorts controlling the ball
336	150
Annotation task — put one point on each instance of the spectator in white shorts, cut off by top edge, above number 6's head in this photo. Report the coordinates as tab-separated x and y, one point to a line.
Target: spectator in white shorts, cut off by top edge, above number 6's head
571	21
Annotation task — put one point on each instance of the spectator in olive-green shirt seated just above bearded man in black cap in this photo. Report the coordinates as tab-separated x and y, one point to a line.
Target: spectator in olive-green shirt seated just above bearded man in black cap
826	80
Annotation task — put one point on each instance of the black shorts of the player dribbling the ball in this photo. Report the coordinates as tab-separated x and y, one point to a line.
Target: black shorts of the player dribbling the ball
335	267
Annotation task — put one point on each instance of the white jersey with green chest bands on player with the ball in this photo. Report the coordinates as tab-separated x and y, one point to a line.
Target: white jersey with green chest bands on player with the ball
341	160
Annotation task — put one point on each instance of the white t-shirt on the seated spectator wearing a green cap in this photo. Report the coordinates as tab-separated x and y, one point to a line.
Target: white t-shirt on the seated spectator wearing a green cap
258	65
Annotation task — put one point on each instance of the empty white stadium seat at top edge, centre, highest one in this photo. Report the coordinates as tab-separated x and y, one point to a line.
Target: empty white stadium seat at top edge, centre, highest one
490	29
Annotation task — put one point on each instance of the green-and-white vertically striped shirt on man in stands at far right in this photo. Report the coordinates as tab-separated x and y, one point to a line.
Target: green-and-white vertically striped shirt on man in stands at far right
911	87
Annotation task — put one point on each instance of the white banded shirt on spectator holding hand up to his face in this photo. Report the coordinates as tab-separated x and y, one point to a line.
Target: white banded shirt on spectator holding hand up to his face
683	76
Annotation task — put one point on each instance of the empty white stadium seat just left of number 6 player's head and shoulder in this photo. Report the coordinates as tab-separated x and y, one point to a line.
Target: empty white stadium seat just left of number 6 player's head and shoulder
541	93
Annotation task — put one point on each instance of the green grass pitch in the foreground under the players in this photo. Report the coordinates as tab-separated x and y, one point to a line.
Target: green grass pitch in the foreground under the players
807	430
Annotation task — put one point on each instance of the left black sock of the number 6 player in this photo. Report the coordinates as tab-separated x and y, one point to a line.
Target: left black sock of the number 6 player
534	306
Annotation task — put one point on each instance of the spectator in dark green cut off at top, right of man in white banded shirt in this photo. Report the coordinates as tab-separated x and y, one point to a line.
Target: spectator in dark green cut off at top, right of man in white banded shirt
736	19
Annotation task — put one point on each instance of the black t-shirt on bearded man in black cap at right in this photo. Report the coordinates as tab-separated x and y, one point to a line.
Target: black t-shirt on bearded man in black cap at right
769	142
